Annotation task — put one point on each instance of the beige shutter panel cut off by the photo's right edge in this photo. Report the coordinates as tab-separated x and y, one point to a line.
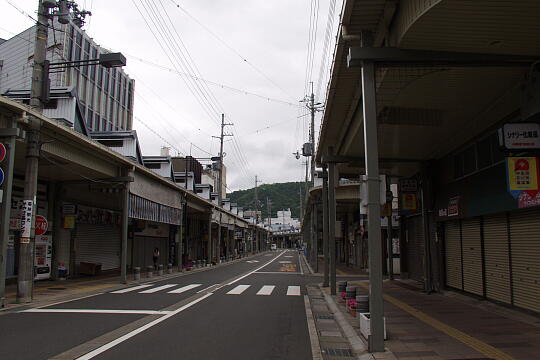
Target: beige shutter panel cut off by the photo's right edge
525	248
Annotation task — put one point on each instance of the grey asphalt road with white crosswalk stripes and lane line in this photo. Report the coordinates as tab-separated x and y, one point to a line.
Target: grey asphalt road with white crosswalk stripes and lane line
253	309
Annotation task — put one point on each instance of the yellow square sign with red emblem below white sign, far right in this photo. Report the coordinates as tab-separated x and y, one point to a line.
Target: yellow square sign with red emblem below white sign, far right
522	173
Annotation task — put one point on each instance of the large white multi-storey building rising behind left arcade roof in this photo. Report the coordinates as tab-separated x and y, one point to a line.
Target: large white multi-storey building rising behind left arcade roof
105	95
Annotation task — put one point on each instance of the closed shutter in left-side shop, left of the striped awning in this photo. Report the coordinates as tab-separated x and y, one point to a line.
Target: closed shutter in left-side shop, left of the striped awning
97	243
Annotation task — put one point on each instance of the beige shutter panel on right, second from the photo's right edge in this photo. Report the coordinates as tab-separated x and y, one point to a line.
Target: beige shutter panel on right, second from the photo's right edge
497	264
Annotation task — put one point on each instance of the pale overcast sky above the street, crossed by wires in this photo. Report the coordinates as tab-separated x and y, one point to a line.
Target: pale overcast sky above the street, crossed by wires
262	49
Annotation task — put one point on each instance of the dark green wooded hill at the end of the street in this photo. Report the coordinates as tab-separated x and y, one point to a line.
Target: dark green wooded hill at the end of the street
282	195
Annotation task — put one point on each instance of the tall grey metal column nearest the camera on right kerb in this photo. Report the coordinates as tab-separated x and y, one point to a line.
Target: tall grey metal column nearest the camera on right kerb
376	340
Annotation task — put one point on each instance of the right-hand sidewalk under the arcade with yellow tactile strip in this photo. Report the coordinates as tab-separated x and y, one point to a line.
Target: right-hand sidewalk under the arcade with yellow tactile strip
448	326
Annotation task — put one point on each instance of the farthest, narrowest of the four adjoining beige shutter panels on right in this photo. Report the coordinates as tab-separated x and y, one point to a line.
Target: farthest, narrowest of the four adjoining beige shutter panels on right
452	243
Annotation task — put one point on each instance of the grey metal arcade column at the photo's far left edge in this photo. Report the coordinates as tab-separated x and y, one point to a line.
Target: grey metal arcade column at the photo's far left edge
8	167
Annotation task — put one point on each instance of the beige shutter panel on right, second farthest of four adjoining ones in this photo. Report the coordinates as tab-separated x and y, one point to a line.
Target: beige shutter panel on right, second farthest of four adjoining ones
472	256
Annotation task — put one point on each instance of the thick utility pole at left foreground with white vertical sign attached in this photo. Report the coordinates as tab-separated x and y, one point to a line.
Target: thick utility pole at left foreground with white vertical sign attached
25	279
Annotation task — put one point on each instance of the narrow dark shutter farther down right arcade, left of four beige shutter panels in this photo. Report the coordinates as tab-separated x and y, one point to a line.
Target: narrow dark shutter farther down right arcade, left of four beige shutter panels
415	248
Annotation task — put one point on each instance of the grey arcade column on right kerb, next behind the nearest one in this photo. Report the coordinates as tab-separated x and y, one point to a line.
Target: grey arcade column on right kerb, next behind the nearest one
332	222
